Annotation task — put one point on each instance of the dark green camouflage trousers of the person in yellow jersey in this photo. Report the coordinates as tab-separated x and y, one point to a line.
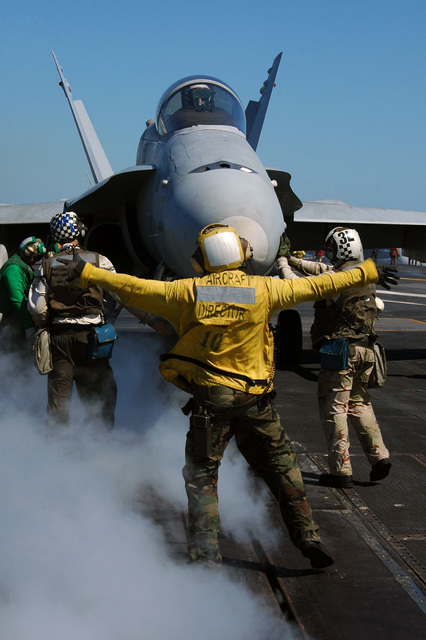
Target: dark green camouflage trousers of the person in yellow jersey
263	443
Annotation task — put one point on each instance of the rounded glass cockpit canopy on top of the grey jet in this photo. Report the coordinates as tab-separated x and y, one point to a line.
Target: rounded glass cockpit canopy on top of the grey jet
199	100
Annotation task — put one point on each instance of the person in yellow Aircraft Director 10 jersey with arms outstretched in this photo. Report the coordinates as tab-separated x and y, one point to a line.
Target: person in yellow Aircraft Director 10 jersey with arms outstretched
224	359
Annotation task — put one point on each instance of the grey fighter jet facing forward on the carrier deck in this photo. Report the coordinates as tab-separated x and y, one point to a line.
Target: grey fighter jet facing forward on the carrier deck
196	163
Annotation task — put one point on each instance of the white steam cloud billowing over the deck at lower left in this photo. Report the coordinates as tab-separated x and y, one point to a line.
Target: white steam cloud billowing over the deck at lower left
78	562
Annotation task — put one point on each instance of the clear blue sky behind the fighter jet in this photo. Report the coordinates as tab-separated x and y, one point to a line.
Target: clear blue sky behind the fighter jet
346	119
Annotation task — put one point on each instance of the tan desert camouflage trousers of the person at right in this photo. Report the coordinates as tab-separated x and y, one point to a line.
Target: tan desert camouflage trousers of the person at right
343	396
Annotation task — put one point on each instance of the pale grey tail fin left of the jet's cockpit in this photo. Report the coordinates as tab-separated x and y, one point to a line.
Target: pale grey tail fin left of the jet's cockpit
95	154
